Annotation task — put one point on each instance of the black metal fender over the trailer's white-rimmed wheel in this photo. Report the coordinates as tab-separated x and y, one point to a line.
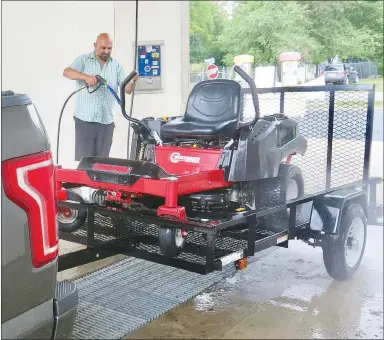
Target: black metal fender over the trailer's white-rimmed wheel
327	210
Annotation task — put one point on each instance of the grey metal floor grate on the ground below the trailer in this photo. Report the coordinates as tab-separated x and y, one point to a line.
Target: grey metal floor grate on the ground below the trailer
118	299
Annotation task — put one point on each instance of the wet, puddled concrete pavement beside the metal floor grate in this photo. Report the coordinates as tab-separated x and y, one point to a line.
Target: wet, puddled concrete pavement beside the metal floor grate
284	294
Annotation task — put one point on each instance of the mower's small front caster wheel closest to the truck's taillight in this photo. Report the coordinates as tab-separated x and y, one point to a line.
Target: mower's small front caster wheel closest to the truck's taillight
69	219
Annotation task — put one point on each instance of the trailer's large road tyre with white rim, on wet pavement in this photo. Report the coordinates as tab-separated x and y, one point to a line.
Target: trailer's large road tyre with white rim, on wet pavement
342	254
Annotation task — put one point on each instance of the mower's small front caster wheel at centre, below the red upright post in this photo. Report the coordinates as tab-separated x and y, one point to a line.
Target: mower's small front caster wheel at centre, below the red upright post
171	241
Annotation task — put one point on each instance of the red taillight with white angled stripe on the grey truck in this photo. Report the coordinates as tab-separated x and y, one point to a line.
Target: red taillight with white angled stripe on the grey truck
29	182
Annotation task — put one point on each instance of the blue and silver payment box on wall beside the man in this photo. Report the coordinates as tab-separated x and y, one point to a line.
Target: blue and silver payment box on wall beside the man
149	66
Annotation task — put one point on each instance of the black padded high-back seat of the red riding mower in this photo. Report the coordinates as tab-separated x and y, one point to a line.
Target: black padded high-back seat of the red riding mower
213	111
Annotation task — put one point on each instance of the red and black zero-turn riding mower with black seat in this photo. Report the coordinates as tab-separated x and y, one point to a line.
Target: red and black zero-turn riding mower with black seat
200	169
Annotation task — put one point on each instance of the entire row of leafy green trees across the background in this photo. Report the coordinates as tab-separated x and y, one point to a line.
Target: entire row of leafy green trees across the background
319	30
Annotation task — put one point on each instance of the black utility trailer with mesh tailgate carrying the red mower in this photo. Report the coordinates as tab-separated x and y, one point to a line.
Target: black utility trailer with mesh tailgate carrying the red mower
333	210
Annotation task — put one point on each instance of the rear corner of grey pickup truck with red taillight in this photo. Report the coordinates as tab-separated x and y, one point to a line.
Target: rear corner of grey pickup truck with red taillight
34	304
